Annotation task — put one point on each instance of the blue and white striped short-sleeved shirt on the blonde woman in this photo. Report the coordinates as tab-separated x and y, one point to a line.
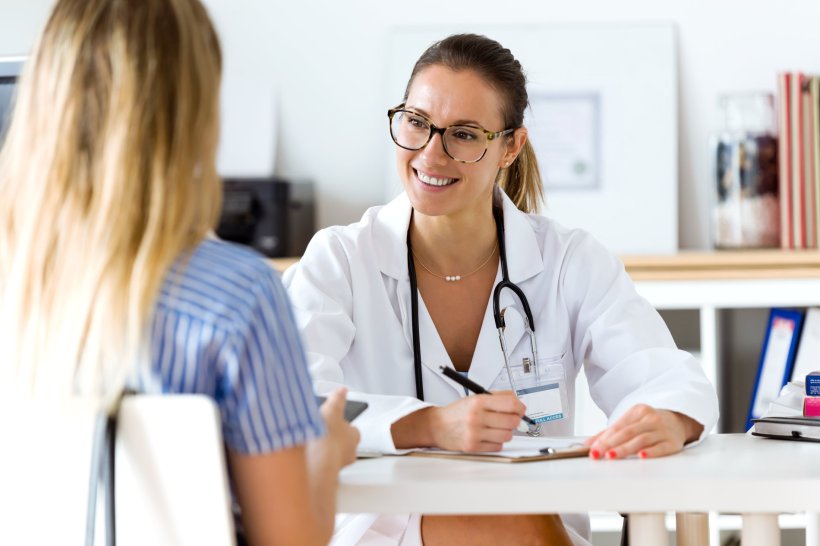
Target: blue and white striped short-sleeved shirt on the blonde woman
223	327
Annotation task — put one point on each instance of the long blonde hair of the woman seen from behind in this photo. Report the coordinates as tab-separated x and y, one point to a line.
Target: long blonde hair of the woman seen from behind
107	176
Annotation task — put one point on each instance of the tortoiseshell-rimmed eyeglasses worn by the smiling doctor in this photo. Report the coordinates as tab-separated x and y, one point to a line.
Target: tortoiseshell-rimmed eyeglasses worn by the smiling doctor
464	143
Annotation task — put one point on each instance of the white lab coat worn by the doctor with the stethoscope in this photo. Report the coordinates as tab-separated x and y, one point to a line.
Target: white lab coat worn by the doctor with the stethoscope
351	297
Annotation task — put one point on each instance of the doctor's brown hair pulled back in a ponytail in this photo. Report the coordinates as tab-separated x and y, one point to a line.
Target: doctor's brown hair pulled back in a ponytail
496	64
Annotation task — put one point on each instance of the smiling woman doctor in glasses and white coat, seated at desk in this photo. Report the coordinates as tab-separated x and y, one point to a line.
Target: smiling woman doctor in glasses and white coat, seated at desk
385	302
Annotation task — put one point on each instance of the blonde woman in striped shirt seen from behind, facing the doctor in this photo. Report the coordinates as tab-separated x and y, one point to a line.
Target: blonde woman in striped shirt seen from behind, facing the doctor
108	276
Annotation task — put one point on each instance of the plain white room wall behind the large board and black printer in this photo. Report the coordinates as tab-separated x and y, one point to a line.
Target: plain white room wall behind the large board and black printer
326	61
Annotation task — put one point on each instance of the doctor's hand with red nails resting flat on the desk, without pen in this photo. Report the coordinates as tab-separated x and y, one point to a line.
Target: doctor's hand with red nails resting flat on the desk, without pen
646	432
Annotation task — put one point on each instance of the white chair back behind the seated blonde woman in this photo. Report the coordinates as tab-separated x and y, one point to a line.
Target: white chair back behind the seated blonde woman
171	481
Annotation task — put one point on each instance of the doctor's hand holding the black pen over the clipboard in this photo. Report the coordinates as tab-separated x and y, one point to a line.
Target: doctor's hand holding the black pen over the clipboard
476	423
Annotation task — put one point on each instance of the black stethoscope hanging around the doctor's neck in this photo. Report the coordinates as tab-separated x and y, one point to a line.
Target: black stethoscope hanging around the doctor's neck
498	313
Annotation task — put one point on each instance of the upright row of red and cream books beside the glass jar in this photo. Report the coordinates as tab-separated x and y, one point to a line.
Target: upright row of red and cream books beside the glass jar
799	159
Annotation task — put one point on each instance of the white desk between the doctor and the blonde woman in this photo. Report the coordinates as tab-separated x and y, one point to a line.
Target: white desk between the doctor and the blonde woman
727	473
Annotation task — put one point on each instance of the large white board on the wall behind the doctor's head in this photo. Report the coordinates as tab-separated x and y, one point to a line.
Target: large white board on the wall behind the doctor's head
632	70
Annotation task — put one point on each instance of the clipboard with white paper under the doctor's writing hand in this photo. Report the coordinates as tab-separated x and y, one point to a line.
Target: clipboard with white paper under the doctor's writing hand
521	449
